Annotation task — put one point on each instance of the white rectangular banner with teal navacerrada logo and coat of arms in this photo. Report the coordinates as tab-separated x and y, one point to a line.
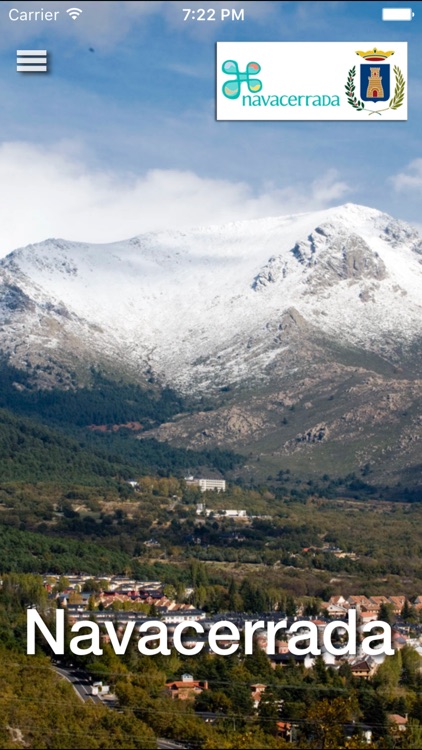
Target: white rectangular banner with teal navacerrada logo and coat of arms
310	81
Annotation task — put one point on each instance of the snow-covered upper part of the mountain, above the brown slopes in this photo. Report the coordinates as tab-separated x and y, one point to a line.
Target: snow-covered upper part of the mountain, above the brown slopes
211	306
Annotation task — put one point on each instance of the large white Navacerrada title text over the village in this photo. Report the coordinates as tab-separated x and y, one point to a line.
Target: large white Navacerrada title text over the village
153	636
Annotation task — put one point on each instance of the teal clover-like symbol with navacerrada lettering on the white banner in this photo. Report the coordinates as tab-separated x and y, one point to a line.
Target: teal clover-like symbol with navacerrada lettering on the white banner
232	90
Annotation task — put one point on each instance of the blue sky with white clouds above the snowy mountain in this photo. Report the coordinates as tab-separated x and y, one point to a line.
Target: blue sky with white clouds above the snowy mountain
120	137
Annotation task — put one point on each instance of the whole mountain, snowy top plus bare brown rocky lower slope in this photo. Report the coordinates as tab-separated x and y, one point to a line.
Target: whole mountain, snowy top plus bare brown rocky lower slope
304	331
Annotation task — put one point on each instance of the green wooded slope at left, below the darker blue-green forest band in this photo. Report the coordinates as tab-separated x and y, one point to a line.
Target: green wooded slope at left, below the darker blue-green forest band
30	450
